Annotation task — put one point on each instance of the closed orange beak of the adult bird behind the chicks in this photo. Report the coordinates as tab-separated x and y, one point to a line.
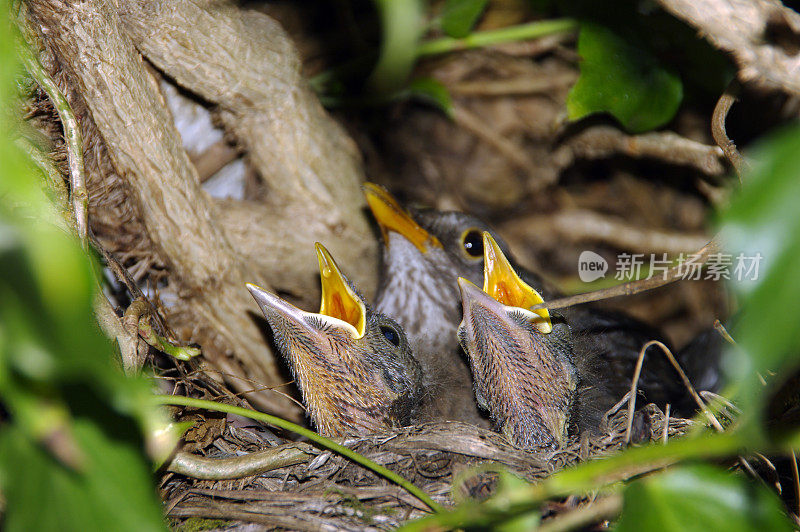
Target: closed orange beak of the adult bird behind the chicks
392	217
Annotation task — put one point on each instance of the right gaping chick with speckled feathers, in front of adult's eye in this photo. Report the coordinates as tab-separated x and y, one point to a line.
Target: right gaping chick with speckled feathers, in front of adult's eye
527	373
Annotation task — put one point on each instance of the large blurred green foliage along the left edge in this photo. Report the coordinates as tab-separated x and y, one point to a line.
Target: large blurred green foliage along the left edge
71	446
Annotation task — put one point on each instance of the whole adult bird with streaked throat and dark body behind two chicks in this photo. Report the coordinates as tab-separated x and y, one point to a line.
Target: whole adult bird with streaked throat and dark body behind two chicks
426	250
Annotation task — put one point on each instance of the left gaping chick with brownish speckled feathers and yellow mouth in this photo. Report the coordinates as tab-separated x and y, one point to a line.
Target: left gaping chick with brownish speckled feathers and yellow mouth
353	365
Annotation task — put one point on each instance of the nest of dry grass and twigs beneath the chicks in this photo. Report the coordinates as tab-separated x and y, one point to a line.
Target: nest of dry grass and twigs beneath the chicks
449	461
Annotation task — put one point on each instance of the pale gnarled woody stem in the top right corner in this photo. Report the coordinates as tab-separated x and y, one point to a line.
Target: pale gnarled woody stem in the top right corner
762	35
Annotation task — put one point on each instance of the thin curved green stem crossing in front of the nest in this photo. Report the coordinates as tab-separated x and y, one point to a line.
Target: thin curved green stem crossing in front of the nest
179	400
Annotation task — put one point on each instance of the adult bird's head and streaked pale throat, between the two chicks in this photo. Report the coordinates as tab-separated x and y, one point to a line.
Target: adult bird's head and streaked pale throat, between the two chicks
422	257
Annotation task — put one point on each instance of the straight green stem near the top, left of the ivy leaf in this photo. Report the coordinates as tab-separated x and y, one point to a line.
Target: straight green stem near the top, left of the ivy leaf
531	30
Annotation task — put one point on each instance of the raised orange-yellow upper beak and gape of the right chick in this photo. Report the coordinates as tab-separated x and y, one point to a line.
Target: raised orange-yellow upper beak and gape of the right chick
502	283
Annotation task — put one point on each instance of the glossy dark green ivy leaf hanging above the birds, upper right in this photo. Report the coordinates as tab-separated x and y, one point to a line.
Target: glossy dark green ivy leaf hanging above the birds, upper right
622	79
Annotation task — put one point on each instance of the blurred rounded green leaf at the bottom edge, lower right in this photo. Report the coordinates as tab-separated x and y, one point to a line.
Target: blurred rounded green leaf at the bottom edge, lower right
700	498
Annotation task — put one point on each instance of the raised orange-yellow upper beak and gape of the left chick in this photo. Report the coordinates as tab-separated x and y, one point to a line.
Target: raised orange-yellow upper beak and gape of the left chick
338	299
